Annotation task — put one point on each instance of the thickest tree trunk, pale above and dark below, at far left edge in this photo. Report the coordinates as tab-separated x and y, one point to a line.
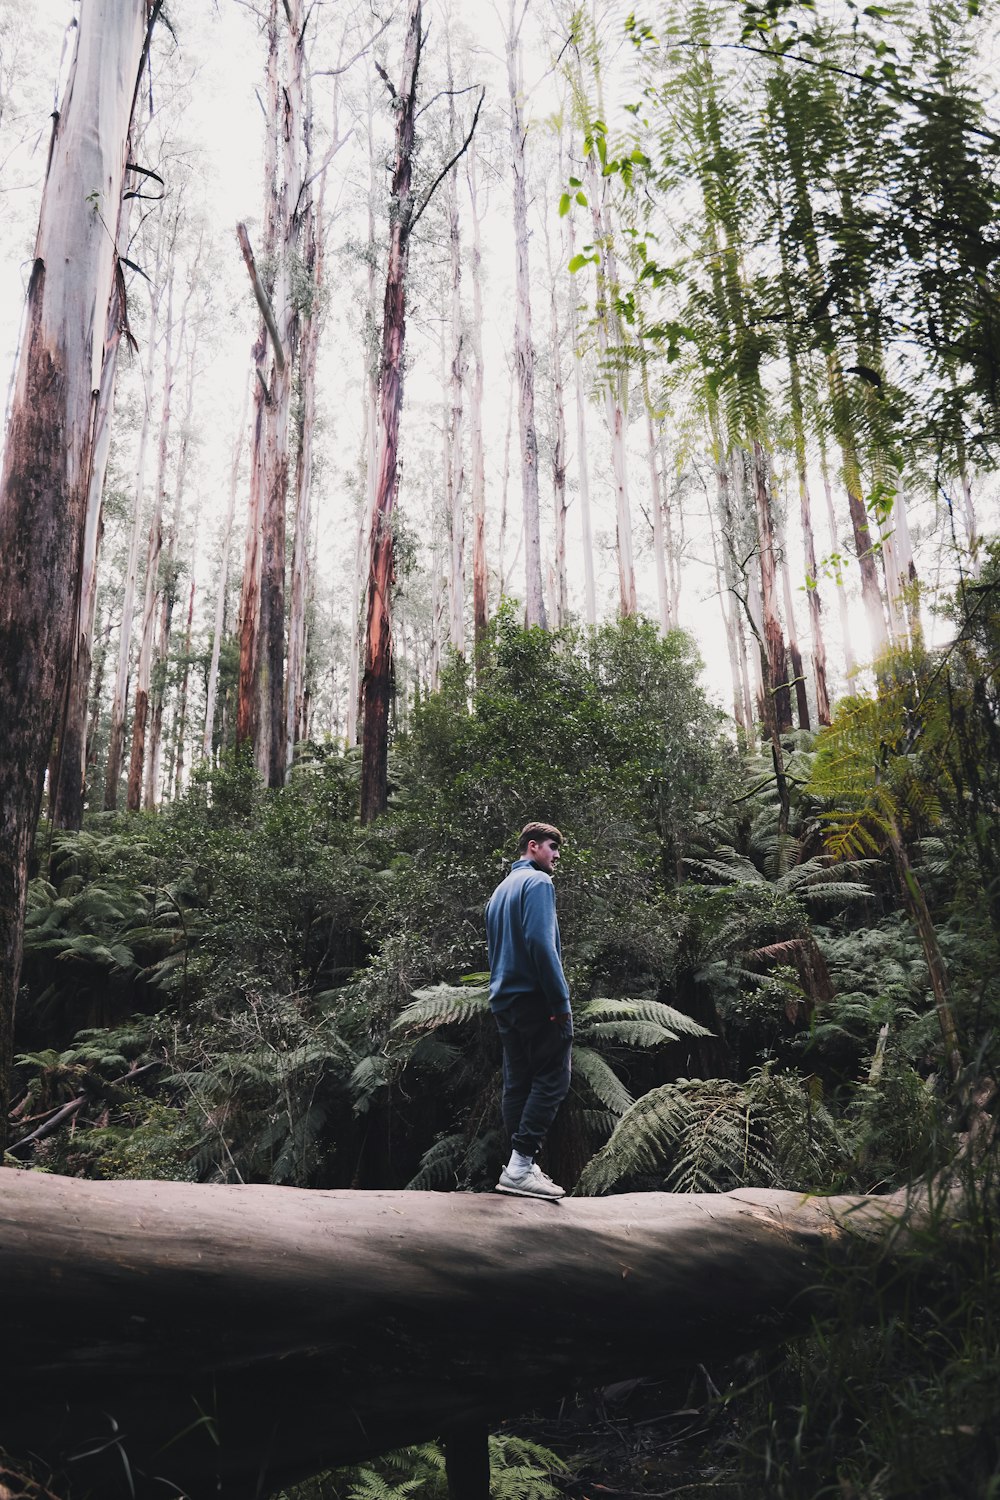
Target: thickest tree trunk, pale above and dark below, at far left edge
49	454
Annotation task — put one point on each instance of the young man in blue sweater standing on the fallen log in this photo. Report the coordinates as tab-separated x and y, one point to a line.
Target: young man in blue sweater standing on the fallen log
530	1000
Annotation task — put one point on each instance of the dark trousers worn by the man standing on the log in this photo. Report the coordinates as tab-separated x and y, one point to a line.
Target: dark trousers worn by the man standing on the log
536	1070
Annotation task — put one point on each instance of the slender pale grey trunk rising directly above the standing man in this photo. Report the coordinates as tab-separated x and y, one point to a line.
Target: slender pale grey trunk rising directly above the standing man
524	349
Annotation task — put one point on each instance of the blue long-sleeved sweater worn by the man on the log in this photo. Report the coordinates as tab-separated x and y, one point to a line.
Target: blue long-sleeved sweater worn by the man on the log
522	935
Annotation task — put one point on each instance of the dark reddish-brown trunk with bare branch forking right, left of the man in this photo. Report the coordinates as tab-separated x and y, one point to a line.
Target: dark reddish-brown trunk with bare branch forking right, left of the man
379	638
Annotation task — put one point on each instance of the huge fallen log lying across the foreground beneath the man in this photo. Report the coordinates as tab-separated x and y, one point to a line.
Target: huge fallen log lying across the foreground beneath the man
230	1340
